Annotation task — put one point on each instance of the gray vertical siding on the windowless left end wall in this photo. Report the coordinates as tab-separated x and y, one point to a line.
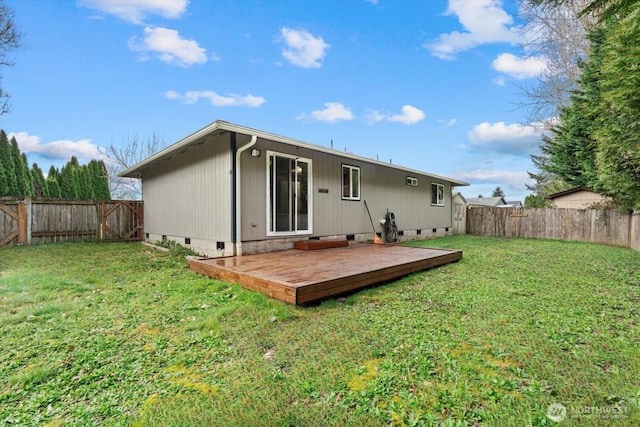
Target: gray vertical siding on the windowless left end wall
190	196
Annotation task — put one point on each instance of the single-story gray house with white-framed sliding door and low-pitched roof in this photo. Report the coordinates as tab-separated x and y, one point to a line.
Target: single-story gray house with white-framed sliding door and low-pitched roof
231	190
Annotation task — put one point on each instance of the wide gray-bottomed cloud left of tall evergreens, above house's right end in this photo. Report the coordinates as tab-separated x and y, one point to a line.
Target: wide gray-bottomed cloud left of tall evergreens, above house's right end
512	138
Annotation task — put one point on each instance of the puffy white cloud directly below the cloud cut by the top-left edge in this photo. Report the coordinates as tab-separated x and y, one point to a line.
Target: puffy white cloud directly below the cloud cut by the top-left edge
169	47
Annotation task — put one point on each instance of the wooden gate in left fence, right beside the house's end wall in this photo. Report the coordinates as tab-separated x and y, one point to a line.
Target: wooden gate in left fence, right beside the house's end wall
122	220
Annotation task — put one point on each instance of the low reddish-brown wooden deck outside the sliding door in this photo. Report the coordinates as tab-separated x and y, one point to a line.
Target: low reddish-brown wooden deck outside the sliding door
299	276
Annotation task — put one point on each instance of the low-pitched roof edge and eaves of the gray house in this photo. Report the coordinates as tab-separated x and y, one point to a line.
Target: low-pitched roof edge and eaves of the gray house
220	125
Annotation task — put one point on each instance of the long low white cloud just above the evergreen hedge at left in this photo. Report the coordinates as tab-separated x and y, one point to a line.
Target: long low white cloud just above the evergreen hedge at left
83	149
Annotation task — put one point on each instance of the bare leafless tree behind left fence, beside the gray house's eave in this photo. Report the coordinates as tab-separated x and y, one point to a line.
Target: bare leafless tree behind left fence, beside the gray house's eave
131	151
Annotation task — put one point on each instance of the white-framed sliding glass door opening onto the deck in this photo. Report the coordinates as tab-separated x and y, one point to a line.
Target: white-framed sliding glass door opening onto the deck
289	195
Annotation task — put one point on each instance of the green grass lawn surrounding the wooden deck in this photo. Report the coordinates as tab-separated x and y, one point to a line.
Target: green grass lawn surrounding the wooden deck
121	334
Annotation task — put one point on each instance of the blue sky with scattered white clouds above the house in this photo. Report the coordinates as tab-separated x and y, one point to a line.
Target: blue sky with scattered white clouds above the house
431	85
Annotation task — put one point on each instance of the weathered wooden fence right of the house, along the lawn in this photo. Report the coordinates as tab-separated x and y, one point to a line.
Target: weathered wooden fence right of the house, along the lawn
586	225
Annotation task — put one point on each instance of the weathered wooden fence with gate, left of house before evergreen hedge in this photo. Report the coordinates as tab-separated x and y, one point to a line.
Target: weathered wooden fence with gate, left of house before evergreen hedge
37	221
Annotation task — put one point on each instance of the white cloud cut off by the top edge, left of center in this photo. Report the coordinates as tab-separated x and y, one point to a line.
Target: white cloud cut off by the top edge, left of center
135	11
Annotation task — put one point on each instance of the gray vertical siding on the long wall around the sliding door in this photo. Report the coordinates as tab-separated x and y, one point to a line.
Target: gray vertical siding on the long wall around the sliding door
382	187
